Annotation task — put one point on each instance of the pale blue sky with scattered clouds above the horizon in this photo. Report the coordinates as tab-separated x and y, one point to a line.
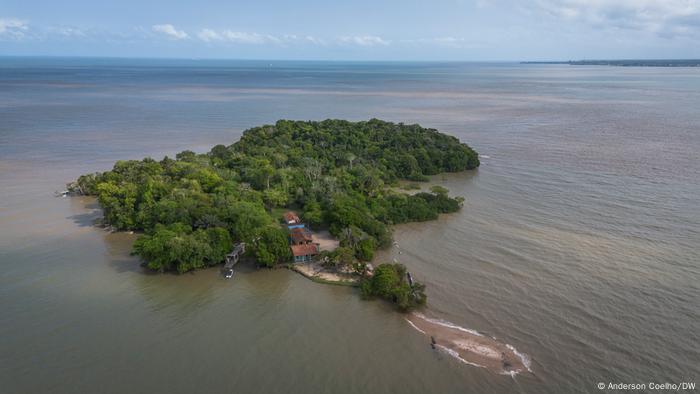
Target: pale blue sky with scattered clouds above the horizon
462	30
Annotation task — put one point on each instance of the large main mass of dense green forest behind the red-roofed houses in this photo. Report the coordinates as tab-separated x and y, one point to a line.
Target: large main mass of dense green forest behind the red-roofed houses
335	173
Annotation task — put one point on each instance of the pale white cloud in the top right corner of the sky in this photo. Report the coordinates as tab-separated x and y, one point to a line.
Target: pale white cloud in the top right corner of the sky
663	17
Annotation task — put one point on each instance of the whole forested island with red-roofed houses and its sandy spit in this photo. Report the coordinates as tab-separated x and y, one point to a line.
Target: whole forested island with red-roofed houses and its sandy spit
318	198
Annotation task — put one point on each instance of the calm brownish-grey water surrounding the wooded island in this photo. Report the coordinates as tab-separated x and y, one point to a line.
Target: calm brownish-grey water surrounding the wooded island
577	244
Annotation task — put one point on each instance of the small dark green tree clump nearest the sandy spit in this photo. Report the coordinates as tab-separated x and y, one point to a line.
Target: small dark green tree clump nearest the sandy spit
390	282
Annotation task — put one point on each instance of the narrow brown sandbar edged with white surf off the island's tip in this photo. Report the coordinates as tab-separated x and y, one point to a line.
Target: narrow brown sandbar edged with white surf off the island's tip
470	346
